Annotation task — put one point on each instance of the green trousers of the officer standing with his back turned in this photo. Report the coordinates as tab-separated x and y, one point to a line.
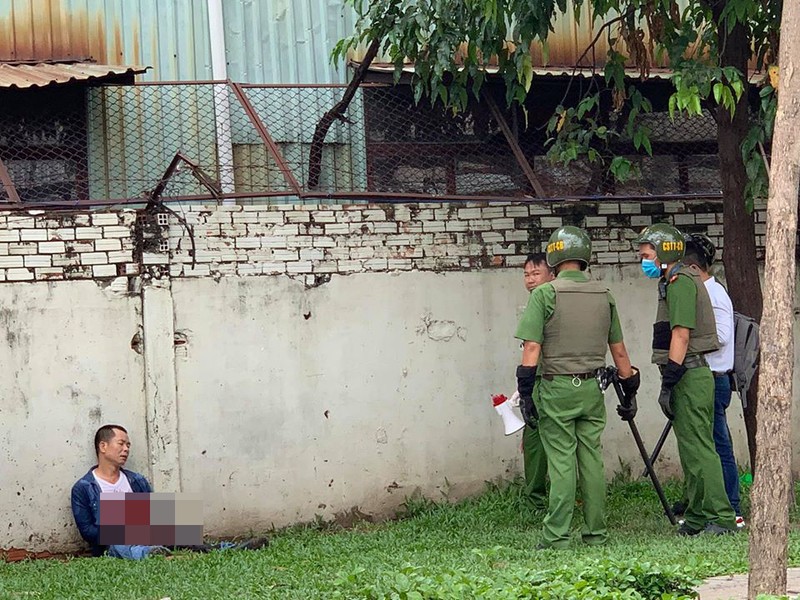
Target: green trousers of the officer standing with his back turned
571	421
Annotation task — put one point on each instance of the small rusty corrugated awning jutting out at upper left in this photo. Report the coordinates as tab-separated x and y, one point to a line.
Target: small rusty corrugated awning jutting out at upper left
24	75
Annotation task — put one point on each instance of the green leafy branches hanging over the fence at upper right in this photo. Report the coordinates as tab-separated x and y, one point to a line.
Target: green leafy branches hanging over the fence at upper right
452	42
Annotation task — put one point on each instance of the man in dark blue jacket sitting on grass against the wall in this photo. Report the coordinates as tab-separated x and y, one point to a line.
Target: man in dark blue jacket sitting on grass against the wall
112	446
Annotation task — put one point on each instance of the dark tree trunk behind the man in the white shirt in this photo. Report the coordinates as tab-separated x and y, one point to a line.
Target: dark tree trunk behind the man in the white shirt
739	256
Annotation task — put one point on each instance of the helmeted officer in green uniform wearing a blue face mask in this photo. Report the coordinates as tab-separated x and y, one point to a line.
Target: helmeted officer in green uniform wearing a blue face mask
684	331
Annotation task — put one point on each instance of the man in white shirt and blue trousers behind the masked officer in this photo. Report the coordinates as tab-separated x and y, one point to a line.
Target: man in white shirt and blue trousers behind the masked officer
700	252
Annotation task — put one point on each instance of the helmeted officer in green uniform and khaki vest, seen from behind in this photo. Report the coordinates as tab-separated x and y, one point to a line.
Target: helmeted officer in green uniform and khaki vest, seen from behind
566	328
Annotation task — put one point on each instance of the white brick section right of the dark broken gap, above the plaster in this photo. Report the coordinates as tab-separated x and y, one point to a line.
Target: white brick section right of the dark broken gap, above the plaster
357	238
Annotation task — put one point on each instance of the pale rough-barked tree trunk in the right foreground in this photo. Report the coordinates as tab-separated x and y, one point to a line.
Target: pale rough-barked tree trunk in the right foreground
769	520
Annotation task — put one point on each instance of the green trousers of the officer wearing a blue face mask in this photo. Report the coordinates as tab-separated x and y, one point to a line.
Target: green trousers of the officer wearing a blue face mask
693	406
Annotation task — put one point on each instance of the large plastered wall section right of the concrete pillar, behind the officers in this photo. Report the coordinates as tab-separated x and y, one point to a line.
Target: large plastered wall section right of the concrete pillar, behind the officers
382	391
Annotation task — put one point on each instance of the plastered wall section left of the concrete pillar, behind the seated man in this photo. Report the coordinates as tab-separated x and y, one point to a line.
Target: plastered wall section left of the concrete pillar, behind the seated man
67	369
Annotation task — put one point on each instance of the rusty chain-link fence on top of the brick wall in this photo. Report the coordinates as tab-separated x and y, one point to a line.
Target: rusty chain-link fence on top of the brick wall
106	144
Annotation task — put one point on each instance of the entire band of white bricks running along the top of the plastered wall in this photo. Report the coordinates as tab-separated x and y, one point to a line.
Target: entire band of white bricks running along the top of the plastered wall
303	240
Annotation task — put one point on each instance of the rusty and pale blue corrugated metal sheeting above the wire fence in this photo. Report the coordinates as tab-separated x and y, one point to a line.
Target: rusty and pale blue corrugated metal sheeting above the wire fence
266	41
